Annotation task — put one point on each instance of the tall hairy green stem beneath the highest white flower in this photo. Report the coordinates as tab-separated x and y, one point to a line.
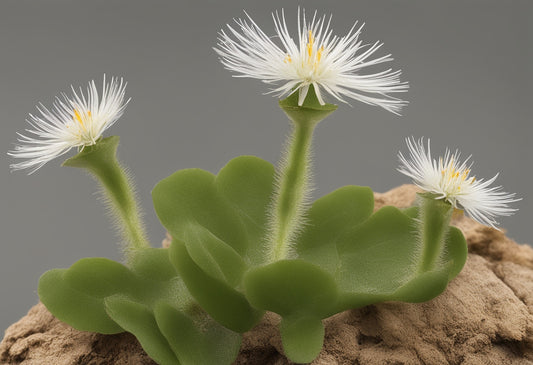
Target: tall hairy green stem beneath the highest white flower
293	187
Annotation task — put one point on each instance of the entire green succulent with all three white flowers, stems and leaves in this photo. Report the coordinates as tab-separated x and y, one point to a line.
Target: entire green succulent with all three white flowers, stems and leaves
248	240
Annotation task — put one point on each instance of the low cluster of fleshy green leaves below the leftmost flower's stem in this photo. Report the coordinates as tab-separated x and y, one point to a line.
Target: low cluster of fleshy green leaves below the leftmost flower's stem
104	296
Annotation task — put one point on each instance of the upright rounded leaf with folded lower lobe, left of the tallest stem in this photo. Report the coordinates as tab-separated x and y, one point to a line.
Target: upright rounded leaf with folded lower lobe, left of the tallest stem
192	209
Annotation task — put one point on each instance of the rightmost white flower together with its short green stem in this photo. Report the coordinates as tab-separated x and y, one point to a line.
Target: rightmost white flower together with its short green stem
449	187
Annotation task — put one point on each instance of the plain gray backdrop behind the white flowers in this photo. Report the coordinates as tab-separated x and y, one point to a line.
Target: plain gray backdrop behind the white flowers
468	64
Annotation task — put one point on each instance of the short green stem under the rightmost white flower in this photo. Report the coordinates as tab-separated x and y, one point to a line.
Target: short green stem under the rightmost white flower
435	215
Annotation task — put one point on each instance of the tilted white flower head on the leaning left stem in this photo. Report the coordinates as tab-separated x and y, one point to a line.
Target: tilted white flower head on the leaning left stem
77	121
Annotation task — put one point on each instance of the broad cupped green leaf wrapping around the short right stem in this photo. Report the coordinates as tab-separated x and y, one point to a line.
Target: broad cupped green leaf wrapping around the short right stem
380	262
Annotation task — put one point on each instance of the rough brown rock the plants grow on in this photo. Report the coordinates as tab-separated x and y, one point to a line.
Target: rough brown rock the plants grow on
484	317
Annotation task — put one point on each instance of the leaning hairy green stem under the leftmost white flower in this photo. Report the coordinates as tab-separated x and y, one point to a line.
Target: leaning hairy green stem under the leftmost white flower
100	160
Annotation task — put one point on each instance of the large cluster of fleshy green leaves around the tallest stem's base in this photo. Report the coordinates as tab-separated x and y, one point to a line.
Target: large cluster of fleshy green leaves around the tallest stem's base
347	256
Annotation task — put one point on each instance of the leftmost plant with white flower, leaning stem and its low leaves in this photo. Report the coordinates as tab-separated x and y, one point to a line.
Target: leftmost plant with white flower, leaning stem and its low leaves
144	295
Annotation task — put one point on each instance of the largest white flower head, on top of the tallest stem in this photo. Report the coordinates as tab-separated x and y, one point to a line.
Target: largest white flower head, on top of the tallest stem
329	63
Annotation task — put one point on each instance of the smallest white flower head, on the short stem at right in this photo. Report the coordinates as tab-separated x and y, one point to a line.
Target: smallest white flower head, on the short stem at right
450	179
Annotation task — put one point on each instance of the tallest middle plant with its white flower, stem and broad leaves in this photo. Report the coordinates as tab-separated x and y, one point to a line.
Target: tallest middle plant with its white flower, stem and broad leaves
259	242
